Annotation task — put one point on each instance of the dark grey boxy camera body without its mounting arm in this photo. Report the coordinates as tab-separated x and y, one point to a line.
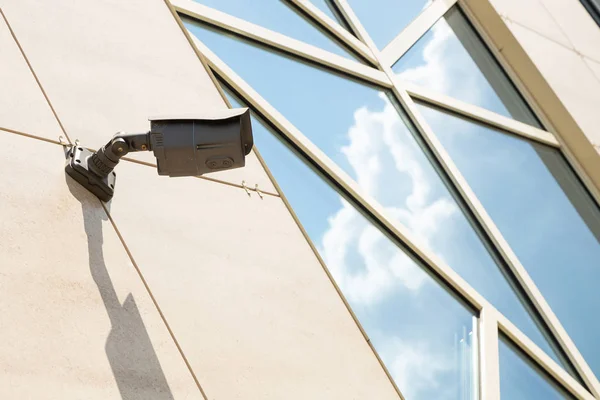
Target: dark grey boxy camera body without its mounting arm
196	145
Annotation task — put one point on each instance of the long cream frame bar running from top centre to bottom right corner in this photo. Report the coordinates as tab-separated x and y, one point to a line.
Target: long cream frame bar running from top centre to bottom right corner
452	172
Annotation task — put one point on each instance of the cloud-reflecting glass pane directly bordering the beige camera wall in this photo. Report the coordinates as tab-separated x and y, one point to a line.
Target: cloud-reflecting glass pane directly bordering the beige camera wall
423	334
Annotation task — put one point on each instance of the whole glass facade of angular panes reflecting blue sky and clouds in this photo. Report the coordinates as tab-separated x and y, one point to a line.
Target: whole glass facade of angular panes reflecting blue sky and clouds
426	334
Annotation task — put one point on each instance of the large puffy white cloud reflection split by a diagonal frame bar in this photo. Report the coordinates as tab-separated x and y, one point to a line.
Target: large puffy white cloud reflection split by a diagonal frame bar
382	155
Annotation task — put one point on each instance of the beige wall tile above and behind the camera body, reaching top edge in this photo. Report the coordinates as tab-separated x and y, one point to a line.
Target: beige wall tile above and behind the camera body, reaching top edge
108	66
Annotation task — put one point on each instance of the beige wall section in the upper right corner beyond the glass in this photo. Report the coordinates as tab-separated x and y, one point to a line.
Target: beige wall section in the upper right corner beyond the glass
563	42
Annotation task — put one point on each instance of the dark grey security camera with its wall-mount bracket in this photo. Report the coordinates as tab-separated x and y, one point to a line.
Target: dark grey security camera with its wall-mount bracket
183	146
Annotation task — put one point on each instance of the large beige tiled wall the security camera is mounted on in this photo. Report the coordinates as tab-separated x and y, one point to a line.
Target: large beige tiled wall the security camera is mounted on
195	282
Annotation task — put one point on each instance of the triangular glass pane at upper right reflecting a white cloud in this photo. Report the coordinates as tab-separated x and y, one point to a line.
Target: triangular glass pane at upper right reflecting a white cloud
451	59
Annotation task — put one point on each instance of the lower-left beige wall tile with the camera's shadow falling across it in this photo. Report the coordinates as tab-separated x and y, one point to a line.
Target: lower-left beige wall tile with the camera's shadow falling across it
75	319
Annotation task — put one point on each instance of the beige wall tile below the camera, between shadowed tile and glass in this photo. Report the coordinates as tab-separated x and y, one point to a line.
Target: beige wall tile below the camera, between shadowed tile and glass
247	299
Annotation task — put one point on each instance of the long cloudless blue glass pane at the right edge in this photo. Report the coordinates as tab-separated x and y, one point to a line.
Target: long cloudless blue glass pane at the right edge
542	210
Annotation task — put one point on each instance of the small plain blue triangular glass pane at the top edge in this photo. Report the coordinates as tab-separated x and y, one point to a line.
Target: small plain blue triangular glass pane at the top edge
385	19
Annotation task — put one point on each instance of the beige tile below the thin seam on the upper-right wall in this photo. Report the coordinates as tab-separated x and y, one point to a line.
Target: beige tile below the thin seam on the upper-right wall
568	75
